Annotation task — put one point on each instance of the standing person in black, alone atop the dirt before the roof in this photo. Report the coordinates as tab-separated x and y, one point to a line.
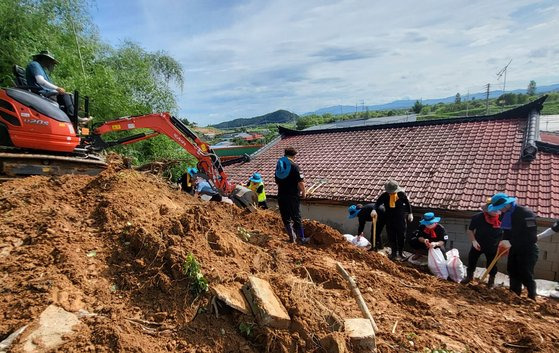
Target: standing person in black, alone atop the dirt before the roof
291	188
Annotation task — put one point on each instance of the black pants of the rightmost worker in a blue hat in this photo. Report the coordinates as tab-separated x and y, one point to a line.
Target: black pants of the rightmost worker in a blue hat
520	267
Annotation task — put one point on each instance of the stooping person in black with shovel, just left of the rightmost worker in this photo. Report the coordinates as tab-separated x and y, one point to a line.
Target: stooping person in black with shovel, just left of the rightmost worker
484	233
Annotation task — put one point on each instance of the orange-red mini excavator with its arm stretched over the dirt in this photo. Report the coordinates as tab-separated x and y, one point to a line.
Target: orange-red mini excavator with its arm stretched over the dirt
38	138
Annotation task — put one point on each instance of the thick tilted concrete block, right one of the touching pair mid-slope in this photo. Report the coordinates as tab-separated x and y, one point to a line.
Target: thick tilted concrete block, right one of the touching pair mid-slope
265	305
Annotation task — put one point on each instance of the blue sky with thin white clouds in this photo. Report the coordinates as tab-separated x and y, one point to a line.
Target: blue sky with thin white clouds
243	58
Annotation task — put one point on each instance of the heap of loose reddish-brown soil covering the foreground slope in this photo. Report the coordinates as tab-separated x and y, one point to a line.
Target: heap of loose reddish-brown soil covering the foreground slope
111	248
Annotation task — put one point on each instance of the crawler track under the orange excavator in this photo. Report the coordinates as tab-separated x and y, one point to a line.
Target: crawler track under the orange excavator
15	163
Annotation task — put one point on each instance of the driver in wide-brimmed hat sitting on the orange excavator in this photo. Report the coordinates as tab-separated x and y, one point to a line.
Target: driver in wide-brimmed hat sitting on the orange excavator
37	77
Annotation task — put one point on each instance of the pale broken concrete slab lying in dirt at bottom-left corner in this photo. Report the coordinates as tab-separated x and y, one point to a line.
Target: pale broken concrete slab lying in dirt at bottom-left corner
47	333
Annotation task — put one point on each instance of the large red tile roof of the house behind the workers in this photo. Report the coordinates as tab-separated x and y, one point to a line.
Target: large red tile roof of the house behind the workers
451	164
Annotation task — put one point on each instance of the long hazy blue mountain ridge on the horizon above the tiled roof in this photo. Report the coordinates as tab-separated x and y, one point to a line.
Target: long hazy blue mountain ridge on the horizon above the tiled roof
408	103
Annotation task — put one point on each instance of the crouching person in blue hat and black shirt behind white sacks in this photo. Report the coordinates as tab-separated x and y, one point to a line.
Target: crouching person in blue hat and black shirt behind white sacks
429	234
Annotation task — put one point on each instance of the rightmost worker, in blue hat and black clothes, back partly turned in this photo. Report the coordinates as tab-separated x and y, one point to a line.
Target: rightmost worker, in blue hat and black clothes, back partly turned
520	235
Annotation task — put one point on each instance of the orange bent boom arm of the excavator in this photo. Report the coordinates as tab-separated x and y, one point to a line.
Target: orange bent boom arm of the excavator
163	123
